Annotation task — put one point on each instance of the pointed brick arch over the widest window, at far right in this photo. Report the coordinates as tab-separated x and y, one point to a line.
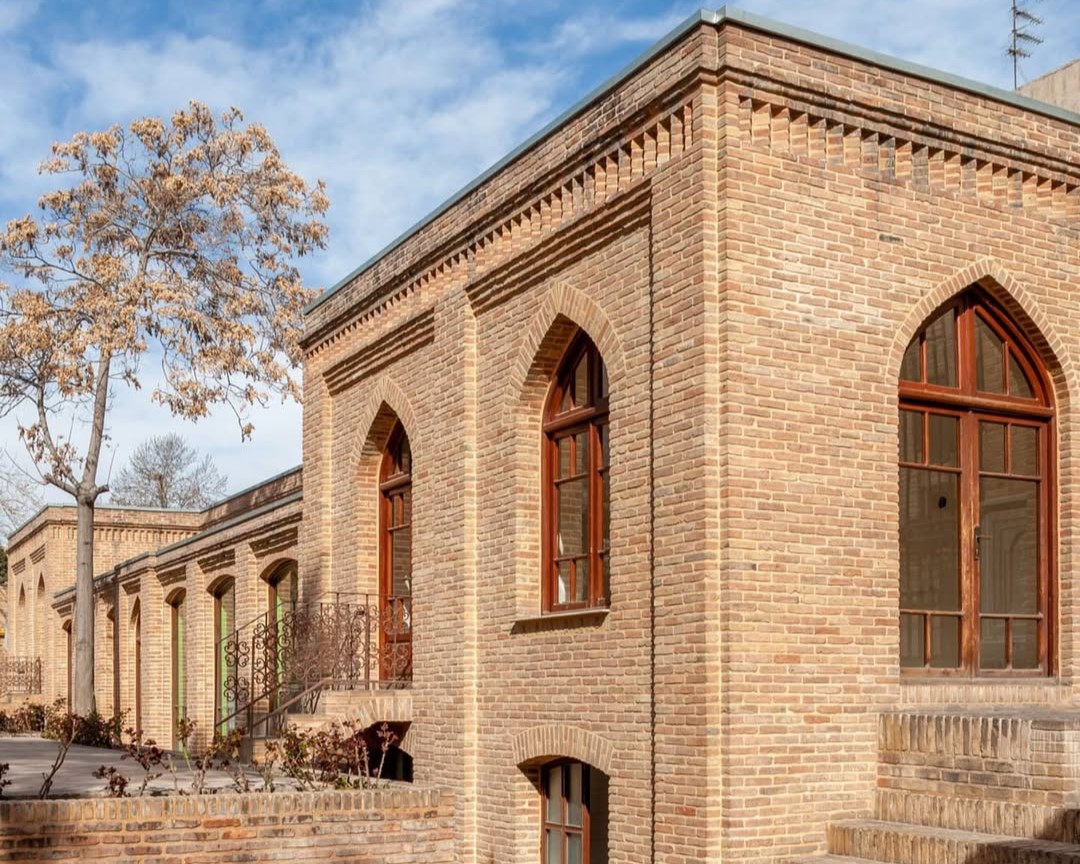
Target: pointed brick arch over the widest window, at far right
1021	305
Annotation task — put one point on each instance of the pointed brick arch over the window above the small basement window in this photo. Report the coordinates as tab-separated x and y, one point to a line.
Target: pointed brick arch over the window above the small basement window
563	308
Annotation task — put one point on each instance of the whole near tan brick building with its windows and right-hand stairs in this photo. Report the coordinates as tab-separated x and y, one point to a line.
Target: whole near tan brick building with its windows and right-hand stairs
615	437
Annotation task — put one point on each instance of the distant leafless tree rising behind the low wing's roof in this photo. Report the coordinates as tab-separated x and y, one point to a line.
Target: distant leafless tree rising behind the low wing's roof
168	472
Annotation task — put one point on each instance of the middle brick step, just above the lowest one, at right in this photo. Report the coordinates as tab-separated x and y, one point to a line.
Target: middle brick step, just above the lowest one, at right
979	815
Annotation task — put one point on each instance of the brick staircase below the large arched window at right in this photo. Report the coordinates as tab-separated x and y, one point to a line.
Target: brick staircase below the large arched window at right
963	786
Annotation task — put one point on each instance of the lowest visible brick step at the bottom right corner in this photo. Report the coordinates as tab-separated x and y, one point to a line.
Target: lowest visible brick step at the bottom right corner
902	844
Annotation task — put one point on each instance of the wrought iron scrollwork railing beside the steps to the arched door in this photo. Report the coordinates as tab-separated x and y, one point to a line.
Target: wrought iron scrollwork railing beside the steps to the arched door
283	660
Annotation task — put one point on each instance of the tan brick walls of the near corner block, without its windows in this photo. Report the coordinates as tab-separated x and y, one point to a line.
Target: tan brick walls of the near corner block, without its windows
750	226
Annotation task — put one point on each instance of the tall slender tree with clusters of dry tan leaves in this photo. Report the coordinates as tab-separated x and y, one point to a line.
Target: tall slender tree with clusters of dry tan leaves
174	237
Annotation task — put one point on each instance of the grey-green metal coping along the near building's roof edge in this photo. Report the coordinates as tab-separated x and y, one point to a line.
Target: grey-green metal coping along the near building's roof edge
719	18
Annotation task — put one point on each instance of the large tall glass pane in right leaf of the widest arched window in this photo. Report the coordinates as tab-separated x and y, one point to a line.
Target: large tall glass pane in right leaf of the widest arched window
1009	546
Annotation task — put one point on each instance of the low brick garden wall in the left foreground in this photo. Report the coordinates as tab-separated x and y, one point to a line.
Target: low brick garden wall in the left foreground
367	828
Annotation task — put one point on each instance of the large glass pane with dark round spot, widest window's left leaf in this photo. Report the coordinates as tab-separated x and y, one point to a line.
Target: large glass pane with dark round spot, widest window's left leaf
929	541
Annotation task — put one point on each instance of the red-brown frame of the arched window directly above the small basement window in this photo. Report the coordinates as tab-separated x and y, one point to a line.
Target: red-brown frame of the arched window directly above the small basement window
557	426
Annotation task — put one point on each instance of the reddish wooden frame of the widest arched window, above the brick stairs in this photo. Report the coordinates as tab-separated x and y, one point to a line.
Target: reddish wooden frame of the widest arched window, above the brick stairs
973	407
